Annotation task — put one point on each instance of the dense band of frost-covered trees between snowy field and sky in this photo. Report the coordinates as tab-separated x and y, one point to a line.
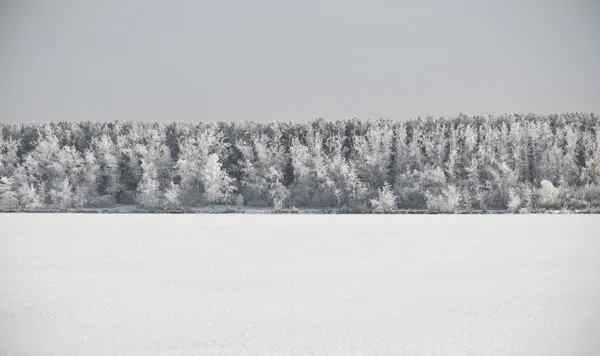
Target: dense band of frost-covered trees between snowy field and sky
509	163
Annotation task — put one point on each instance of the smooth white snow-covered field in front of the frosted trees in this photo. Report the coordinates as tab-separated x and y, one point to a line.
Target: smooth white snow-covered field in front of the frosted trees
299	284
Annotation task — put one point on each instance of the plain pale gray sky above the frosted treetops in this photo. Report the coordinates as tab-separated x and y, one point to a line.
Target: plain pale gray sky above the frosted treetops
269	60
